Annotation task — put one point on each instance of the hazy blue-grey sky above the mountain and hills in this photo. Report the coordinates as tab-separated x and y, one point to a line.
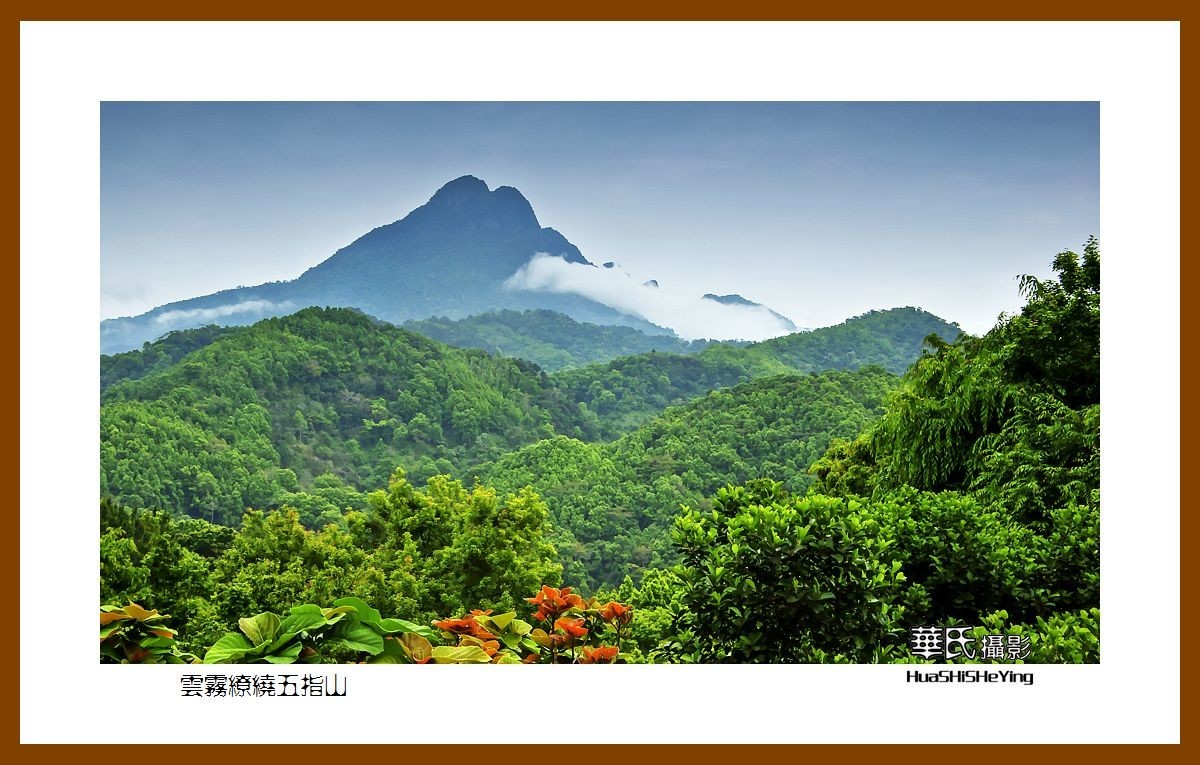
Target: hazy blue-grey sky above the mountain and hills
819	210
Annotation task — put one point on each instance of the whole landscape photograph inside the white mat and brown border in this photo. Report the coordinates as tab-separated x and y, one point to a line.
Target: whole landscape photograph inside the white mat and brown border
573	383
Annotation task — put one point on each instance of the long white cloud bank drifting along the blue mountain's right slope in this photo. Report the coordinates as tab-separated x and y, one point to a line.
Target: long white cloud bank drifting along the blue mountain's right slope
689	316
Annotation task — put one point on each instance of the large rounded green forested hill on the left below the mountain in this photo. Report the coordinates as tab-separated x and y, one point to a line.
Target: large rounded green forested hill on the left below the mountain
316	401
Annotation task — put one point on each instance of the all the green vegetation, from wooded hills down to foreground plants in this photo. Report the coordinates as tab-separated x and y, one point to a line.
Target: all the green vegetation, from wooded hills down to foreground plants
793	501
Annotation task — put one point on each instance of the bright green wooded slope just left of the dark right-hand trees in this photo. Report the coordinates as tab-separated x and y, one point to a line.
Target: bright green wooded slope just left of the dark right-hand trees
613	504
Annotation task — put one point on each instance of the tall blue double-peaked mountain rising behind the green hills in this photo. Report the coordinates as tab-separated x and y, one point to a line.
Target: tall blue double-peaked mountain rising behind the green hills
448	258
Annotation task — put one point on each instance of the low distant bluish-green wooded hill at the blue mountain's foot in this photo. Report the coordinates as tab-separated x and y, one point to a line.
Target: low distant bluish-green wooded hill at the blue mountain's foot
550	340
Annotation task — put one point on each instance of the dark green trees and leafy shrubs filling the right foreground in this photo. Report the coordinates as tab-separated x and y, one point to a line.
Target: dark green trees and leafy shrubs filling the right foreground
974	498
